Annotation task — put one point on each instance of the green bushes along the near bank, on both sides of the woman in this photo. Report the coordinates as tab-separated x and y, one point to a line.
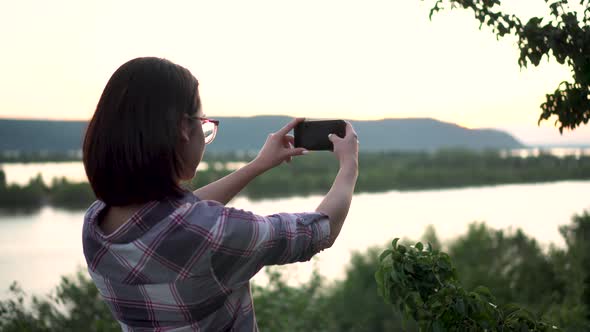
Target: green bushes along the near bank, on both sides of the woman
534	289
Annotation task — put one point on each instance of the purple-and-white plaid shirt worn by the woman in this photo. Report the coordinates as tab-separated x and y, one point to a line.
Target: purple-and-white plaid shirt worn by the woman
185	264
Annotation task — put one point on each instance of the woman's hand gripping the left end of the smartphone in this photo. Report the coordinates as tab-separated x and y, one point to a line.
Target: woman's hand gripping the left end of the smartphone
279	147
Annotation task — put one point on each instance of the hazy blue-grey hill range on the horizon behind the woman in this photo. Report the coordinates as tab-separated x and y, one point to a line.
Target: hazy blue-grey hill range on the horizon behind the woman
249	133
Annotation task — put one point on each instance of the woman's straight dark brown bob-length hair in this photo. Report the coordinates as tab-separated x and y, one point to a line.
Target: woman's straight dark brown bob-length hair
130	149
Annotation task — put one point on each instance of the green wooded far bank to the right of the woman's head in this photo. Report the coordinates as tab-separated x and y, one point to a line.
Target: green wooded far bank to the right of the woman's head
408	171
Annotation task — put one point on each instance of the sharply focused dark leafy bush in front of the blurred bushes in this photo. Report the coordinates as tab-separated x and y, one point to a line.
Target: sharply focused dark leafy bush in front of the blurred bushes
423	283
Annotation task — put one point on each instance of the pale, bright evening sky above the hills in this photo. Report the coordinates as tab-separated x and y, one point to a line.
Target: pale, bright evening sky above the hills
360	60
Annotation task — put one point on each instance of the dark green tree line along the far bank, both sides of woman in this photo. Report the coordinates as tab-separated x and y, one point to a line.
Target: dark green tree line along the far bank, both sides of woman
313	174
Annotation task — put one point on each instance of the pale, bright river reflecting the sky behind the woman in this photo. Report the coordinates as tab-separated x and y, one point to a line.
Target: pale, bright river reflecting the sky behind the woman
36	249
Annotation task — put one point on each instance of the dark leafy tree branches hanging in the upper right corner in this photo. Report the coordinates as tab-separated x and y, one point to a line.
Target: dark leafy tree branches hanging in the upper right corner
564	34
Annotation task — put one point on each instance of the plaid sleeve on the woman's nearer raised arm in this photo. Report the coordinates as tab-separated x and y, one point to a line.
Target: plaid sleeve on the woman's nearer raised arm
243	242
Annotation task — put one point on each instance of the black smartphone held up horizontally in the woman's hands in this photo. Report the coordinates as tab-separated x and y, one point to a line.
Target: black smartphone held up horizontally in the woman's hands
313	135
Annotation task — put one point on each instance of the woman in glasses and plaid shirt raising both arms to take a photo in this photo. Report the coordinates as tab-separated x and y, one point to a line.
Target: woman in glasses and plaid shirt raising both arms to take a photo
165	258
